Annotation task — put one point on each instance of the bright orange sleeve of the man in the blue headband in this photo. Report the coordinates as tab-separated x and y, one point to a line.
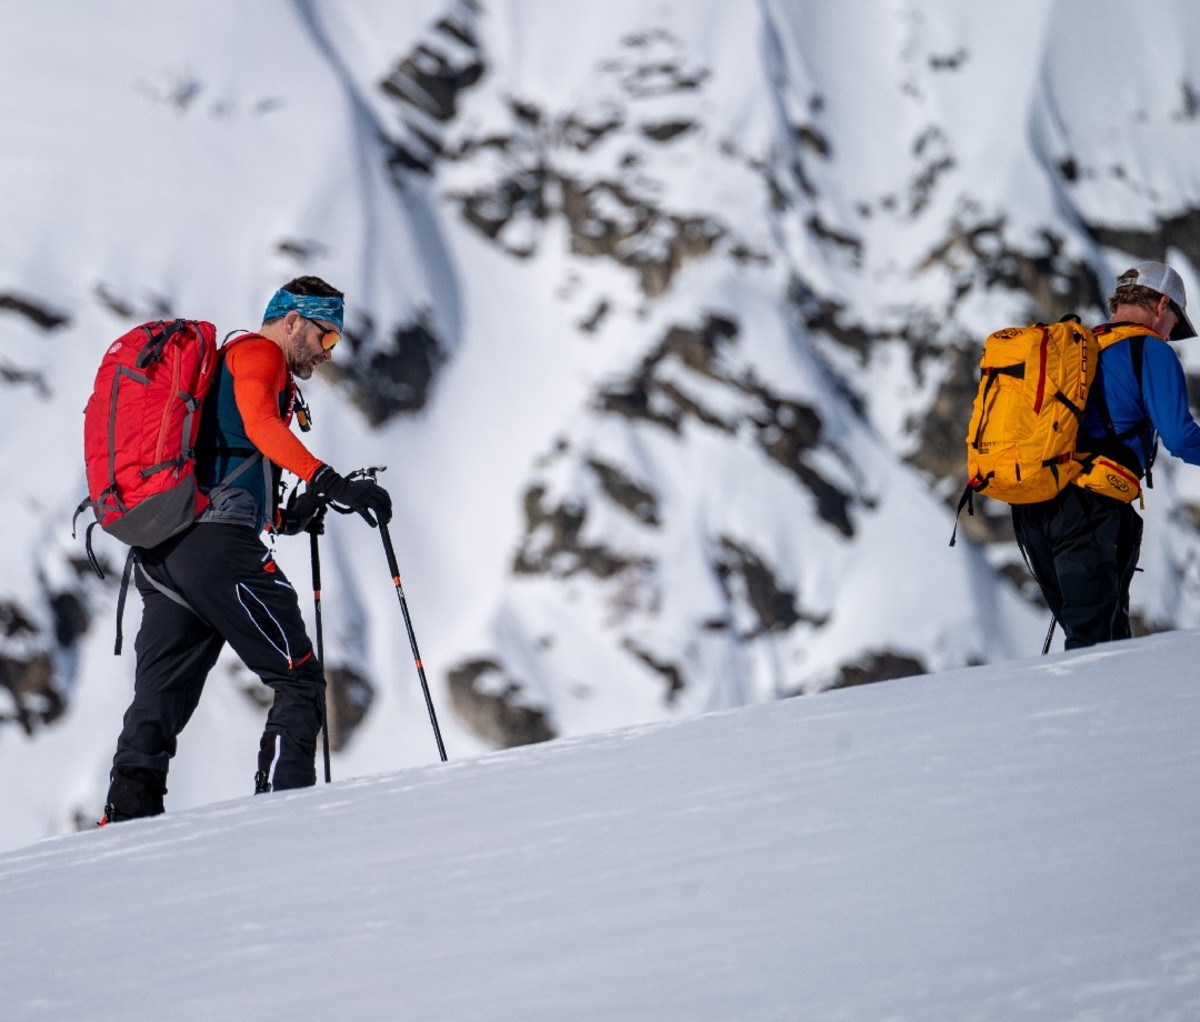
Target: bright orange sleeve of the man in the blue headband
260	375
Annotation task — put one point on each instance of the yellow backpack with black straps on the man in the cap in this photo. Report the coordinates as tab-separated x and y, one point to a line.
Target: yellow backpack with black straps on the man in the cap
1034	388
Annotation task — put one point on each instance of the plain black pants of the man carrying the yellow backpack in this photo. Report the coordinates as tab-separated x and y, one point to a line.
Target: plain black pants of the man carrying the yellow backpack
1083	550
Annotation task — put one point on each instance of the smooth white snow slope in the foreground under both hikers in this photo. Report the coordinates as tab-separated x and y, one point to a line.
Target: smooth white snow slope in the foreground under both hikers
1003	843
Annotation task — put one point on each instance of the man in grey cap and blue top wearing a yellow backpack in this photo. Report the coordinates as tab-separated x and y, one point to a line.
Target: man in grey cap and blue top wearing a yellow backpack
1065	429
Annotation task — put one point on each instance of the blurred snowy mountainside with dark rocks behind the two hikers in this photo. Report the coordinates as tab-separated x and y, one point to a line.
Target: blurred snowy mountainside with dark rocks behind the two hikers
663	318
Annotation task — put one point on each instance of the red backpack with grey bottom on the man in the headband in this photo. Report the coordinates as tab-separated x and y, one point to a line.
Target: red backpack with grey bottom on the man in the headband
140	431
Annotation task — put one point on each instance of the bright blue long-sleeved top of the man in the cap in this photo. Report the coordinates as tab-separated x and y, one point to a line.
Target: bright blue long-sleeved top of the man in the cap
1163	398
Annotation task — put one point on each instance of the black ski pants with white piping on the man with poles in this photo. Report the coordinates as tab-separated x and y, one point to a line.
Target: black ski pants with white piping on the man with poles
212	585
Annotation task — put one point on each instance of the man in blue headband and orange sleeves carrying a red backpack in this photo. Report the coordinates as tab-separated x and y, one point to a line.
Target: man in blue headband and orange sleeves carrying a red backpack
212	580
